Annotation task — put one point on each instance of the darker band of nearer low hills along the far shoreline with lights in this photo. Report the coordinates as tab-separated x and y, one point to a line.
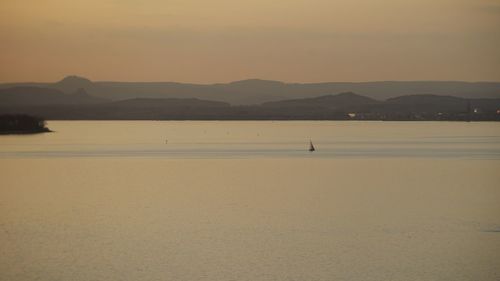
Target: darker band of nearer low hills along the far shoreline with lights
344	106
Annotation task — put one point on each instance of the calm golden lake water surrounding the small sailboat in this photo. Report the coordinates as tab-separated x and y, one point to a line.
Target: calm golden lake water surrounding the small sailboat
246	201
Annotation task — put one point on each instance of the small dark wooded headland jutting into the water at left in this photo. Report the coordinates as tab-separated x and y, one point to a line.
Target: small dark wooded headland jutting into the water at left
21	124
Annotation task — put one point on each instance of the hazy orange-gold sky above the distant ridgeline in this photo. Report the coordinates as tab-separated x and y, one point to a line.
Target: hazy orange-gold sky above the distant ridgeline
223	40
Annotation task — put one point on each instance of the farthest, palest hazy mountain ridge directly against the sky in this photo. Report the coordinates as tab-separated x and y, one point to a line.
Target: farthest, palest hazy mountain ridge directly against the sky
255	91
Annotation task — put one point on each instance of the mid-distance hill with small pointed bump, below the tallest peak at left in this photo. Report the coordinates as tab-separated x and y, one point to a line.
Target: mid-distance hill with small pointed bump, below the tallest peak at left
43	96
